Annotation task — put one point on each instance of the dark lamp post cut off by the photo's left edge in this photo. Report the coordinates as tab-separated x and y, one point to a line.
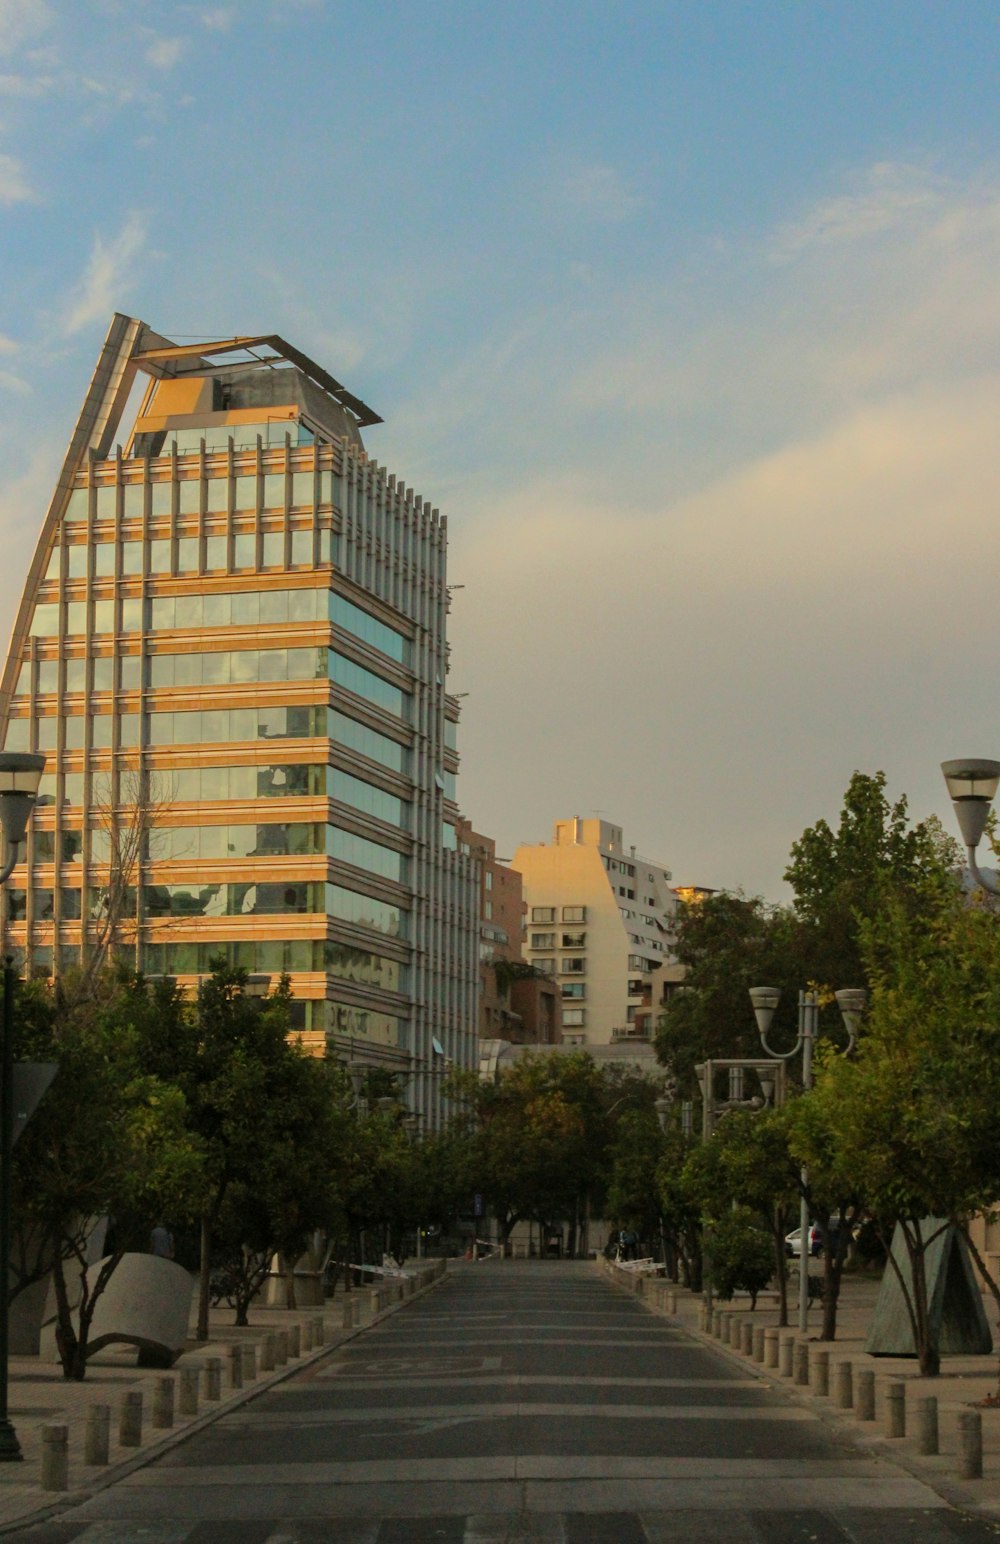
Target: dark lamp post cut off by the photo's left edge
21	774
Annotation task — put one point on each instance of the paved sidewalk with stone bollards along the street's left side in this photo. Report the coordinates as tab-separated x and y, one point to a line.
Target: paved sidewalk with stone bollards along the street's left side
41	1397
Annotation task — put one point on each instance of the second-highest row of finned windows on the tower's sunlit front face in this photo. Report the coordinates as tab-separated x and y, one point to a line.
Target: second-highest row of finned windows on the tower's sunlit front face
186	555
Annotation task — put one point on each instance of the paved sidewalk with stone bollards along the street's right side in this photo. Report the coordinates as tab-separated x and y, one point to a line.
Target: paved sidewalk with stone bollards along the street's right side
964	1384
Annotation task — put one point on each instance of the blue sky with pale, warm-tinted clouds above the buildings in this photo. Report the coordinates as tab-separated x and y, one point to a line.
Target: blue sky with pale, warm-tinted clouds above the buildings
687	316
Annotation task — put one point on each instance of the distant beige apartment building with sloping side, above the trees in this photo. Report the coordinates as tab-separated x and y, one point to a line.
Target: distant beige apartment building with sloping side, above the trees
601	921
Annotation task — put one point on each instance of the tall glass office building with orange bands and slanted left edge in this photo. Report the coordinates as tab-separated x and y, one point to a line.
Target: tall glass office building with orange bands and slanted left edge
232	651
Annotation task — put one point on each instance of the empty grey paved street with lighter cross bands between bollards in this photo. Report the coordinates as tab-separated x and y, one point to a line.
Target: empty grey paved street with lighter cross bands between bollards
519	1403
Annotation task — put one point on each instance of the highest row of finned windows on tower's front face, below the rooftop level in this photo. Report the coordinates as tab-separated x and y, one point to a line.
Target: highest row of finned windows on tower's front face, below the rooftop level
195	496
